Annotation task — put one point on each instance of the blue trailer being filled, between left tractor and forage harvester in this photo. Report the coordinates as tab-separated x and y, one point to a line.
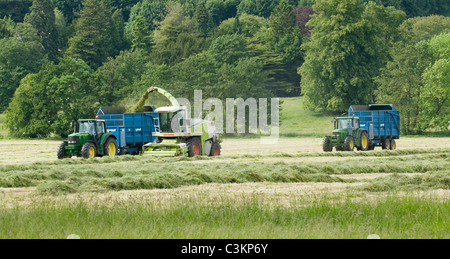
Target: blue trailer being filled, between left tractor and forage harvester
132	130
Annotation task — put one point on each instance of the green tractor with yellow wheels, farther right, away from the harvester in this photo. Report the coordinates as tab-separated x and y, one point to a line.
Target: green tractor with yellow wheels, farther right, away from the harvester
347	135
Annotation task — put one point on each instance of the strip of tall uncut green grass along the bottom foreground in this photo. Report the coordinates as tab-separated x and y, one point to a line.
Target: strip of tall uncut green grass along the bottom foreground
409	217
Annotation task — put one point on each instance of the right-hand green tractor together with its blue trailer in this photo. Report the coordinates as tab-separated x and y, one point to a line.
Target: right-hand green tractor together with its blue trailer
366	127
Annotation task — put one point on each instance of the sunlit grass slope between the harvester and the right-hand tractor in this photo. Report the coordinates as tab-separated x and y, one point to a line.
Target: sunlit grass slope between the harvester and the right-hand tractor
297	122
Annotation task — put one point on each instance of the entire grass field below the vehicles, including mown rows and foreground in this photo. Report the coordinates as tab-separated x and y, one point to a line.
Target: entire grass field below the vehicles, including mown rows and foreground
287	190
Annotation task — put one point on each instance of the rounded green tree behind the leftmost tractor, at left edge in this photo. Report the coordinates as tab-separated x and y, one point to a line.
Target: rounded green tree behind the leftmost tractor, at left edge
48	101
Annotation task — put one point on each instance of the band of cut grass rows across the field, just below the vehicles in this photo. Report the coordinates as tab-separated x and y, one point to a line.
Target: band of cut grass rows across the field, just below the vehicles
135	173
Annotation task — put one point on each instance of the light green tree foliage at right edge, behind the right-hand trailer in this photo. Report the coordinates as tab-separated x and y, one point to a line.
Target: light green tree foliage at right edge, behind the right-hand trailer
416	80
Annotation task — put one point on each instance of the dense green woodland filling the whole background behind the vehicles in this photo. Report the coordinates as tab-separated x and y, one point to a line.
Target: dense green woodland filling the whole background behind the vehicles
62	59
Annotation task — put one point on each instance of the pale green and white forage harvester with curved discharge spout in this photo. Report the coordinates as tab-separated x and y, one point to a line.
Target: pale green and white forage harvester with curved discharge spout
178	135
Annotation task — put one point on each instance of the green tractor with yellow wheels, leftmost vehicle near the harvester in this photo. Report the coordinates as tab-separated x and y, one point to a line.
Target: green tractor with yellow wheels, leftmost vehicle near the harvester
90	139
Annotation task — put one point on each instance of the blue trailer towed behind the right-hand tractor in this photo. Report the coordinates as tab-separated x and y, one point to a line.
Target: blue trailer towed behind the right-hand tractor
381	121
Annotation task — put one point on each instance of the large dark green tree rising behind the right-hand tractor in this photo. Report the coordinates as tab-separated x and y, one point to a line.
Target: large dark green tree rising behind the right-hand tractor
345	52
